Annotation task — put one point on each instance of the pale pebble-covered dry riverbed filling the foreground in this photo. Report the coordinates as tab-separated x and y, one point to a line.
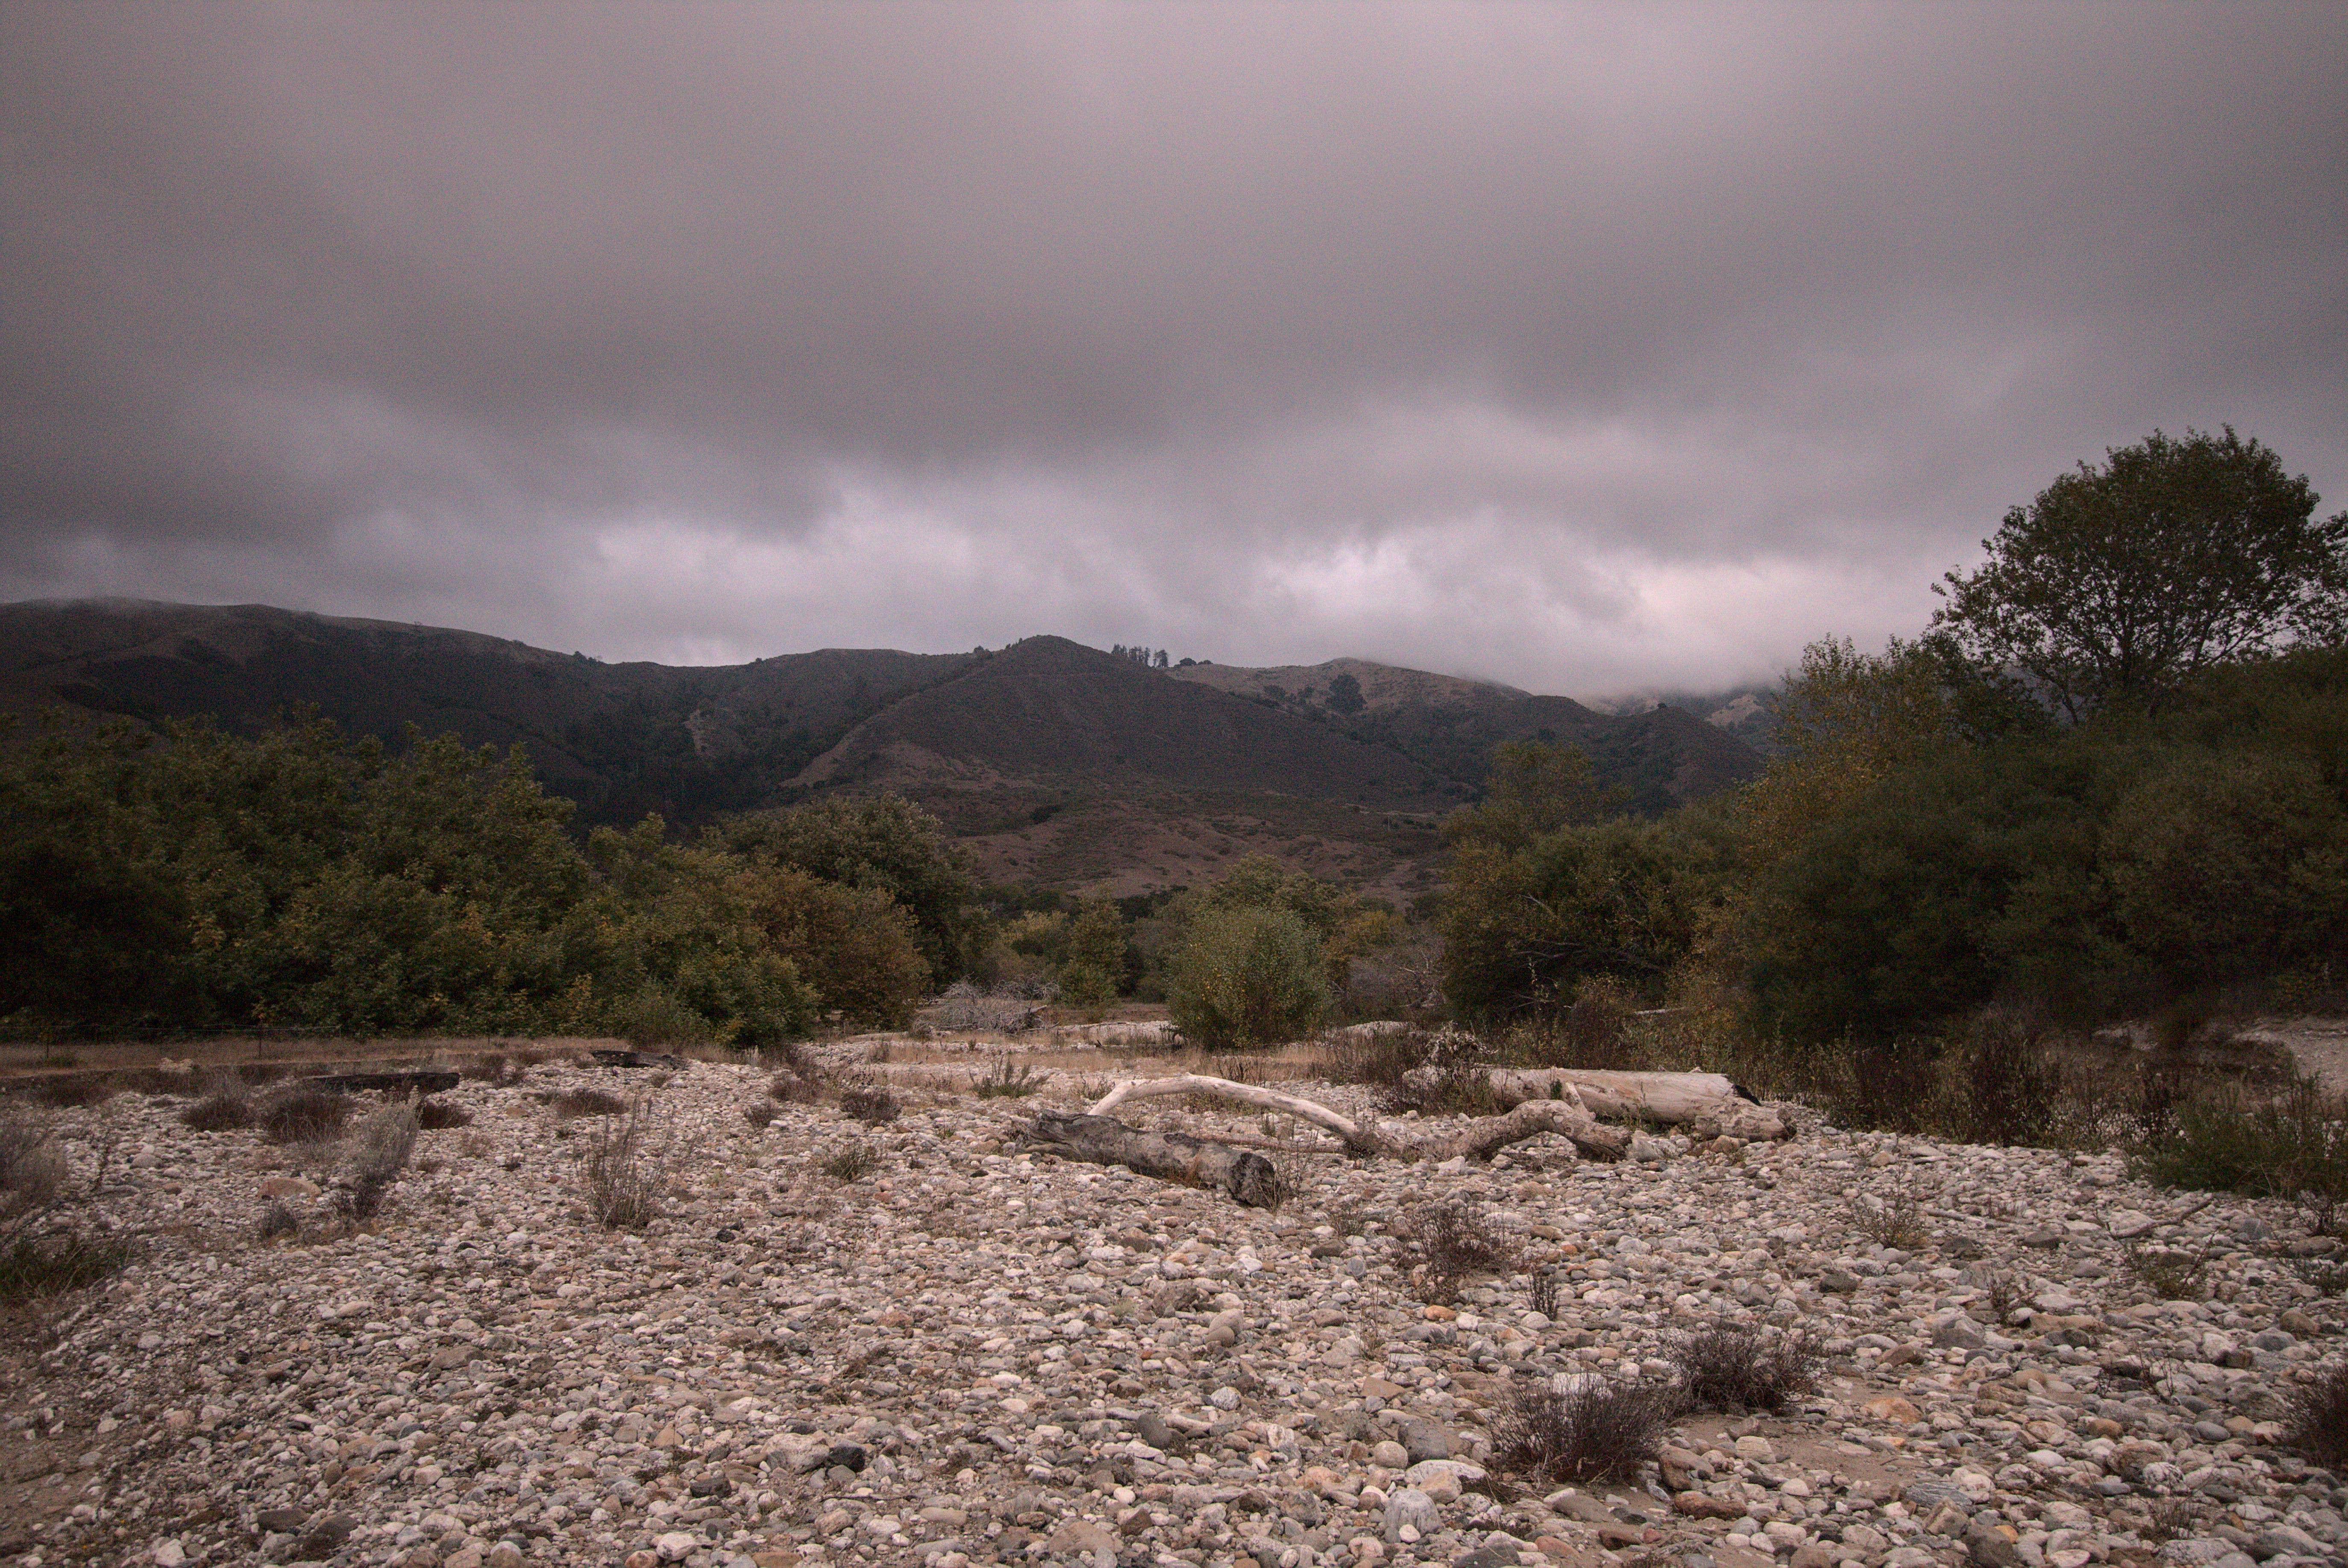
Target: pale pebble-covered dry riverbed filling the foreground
971	1356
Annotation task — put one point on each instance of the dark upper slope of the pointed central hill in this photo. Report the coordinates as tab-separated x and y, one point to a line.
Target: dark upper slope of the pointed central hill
1051	712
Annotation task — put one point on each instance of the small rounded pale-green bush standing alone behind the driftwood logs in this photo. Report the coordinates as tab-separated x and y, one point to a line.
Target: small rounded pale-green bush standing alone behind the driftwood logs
1248	975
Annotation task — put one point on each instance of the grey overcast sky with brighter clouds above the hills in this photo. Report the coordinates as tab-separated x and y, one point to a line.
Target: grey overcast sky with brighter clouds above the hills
1581	349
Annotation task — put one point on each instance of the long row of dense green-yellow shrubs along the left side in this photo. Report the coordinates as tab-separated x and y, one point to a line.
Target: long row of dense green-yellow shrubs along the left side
306	881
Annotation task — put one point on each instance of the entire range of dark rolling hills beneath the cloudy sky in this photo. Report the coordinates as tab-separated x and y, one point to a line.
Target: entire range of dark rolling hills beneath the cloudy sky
1053	762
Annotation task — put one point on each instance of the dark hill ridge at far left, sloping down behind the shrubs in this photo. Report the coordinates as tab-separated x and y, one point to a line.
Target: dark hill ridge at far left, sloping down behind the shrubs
619	738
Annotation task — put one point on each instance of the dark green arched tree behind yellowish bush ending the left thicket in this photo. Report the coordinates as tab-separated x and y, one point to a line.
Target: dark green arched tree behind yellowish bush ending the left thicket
889	844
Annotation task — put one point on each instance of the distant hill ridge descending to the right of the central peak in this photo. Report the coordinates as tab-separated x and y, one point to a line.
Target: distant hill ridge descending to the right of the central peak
1450	726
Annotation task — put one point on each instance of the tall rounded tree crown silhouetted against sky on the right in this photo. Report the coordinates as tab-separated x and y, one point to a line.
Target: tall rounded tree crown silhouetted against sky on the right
2119	583
